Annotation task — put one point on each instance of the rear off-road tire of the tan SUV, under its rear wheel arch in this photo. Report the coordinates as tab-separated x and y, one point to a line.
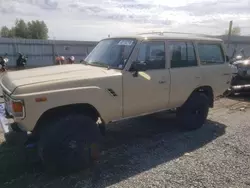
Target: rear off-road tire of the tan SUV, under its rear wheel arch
193	114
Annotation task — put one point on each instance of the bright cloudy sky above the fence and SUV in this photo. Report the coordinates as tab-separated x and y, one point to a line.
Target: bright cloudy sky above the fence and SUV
95	19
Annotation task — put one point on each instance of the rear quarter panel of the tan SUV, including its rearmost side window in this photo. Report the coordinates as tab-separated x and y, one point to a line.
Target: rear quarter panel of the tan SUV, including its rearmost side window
215	70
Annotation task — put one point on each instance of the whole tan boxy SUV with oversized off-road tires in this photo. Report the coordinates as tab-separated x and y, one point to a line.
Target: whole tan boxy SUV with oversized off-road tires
66	107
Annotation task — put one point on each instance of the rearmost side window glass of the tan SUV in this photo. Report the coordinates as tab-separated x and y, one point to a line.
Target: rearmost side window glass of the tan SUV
210	53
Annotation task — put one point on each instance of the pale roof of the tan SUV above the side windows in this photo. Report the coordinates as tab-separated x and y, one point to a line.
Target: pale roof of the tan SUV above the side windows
170	35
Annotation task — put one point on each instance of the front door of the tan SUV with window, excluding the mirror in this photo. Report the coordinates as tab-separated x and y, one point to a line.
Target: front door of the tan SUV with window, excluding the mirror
149	91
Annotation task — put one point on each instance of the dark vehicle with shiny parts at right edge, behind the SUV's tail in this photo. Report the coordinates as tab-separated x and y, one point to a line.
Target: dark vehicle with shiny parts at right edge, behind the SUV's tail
241	78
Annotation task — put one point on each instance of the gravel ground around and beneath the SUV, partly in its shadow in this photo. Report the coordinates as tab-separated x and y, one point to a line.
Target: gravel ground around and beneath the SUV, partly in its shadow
152	152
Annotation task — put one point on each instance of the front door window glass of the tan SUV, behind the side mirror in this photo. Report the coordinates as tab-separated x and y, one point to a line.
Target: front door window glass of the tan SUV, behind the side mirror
153	54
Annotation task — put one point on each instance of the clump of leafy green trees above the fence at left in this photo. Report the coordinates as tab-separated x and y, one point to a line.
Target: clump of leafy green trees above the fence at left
31	30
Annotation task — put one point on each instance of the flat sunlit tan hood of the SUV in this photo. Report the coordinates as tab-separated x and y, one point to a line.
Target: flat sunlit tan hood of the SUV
15	79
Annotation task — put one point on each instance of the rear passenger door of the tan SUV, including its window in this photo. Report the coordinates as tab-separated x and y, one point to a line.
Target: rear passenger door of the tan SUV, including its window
184	70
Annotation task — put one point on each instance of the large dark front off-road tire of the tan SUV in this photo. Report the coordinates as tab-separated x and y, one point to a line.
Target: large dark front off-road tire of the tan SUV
69	144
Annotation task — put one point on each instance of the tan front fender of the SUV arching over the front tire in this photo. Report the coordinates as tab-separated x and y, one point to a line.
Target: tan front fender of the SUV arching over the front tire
108	105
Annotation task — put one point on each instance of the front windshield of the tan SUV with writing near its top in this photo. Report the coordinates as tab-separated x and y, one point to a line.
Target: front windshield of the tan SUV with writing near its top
112	53
